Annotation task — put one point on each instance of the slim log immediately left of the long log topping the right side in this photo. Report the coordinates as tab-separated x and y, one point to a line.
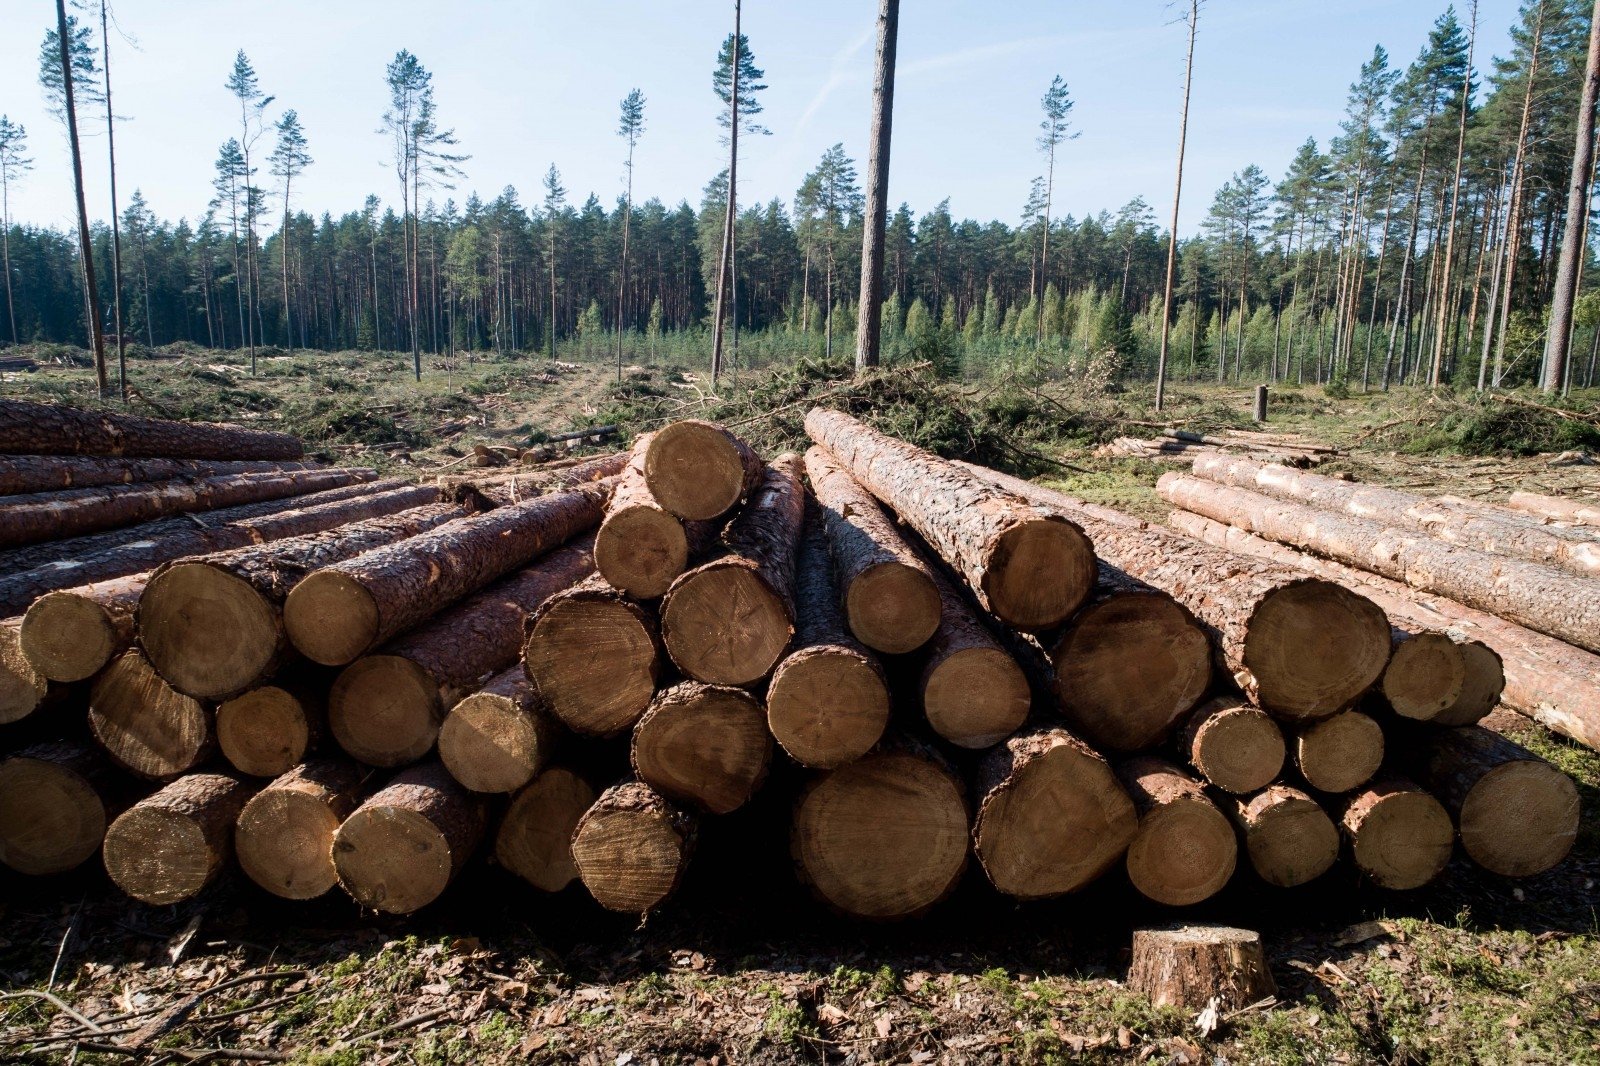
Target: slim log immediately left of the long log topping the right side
889	598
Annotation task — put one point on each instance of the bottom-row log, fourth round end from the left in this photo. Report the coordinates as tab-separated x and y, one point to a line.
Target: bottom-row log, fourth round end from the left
404	846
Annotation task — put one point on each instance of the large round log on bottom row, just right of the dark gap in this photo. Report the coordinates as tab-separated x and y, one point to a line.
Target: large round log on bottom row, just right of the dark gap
886	836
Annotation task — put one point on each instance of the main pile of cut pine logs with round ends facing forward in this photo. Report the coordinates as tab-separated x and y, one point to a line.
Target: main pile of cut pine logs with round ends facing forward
370	684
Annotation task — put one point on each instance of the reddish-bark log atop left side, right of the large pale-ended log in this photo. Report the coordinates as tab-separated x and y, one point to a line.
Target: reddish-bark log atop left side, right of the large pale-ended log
343	612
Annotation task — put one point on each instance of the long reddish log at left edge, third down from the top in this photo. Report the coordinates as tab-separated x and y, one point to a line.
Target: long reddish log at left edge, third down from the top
78	511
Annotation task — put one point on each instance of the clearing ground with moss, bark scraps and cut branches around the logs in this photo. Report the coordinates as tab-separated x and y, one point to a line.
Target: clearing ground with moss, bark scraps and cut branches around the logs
742	968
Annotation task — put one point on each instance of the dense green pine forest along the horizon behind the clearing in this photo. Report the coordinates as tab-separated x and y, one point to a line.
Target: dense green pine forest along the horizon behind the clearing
1418	244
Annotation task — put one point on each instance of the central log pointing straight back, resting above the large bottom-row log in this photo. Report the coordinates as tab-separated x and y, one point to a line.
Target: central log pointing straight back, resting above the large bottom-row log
828	702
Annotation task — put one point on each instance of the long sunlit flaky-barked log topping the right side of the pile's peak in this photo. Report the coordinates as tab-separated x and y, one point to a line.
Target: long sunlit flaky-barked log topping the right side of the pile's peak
1030	567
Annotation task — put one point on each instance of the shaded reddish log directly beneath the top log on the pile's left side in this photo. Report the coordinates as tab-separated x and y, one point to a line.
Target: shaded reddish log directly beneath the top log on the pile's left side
386	708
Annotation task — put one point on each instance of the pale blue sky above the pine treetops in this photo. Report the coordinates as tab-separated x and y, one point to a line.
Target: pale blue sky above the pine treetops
538	82
